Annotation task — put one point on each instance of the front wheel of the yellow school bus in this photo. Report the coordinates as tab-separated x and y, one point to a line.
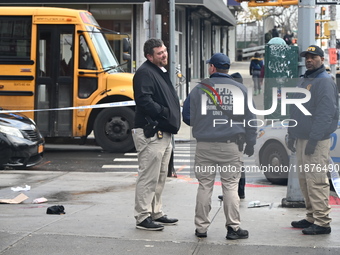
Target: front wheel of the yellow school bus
113	129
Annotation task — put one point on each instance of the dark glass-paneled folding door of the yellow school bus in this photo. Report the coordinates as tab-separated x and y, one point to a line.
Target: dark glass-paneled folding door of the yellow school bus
54	79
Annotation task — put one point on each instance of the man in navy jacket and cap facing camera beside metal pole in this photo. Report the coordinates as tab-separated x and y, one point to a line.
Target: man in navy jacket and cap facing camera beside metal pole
311	136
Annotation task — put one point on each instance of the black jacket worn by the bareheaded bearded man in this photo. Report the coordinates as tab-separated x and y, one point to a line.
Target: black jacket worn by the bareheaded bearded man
155	96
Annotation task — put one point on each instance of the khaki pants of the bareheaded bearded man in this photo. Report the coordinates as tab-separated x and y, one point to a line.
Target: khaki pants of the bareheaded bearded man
153	159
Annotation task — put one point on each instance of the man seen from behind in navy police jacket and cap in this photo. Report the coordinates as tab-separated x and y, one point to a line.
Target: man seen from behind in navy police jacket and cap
218	146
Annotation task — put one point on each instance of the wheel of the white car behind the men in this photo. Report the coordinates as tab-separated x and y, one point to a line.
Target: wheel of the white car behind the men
274	162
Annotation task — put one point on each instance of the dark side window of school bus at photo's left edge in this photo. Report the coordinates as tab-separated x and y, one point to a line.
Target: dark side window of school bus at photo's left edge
15	37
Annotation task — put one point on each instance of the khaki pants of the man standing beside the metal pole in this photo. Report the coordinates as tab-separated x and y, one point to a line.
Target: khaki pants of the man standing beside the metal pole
314	182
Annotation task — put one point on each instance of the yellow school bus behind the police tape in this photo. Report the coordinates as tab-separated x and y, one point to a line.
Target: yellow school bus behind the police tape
52	58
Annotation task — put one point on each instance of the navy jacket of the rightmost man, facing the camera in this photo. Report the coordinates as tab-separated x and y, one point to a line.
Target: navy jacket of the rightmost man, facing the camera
323	106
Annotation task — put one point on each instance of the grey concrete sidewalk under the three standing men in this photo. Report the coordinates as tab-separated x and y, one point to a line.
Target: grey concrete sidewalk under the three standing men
99	219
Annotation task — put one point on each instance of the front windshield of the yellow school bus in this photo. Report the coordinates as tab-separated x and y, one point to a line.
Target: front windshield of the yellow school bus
107	57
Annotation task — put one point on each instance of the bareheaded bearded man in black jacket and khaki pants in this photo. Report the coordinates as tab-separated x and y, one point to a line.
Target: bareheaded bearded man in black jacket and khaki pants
157	118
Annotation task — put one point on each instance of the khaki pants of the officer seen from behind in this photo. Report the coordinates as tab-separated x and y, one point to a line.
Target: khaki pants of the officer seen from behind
226	159
